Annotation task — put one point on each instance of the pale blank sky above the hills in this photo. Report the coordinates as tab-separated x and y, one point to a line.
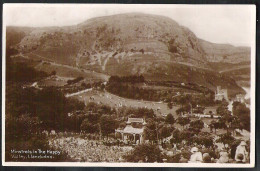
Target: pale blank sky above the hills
232	24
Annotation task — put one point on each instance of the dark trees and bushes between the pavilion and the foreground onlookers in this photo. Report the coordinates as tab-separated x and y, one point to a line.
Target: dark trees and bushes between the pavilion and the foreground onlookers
157	129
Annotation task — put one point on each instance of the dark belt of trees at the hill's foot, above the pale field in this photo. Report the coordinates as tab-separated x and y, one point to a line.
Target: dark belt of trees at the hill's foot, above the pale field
130	87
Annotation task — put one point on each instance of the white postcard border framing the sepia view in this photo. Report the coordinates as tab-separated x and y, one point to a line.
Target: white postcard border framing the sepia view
102	164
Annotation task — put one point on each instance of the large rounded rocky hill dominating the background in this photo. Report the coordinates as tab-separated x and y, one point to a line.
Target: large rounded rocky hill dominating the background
126	44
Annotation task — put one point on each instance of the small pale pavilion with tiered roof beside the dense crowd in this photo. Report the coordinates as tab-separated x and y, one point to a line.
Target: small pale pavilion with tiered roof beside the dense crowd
131	133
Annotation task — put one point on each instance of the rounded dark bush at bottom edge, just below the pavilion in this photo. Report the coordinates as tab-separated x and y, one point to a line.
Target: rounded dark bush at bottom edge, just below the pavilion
146	153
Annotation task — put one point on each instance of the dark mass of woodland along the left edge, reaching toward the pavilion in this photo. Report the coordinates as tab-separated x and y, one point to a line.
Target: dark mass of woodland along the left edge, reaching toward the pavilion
30	111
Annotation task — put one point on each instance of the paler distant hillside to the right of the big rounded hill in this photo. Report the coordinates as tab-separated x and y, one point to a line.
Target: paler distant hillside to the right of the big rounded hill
229	60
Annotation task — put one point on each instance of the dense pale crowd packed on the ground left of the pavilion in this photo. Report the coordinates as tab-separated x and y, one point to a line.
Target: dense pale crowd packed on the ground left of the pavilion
87	150
